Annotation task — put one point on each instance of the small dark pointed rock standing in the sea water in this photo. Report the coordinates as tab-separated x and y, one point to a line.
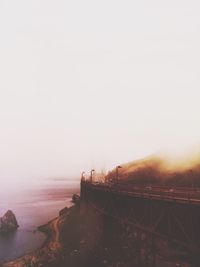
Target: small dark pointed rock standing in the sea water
8	222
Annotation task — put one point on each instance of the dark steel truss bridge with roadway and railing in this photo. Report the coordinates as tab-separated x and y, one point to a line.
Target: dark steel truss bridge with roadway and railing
168	213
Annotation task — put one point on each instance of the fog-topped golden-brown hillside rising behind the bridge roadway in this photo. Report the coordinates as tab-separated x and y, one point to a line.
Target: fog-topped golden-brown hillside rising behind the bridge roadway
160	170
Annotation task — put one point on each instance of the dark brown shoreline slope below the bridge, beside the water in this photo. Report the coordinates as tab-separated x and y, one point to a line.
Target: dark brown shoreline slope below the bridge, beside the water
81	236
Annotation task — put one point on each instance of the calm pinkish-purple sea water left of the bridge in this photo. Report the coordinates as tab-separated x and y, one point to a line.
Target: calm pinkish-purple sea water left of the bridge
33	207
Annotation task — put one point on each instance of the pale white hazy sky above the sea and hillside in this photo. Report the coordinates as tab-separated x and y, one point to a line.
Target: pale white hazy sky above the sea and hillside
91	84
